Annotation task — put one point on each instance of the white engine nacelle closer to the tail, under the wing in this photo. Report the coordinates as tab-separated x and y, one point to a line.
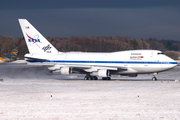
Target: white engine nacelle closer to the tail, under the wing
63	71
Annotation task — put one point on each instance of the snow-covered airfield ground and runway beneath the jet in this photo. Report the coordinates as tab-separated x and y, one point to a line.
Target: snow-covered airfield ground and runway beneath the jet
33	93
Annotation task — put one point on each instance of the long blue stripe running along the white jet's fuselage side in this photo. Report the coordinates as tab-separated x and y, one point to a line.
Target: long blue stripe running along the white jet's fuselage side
119	62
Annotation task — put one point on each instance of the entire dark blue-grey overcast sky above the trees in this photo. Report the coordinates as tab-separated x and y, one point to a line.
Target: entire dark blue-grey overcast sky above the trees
93	18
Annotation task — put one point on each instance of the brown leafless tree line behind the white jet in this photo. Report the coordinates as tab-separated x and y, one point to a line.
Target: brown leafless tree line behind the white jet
94	44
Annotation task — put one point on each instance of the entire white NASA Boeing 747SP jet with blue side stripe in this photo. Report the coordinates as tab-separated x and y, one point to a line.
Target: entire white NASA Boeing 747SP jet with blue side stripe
128	63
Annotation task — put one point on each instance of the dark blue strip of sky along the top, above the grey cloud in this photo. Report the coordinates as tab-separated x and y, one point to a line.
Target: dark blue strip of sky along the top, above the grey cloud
62	4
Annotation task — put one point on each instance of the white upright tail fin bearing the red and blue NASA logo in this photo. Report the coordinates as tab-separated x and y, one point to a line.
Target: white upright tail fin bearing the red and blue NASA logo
36	43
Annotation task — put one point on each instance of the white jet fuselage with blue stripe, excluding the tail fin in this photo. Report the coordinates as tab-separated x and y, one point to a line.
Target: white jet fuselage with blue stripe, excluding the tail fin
136	61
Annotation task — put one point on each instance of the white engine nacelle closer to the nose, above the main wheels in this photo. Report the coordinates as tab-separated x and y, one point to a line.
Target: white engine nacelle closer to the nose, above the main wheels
101	73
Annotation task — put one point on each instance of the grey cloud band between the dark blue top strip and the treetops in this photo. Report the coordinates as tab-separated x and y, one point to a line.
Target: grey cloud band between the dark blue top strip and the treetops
162	23
